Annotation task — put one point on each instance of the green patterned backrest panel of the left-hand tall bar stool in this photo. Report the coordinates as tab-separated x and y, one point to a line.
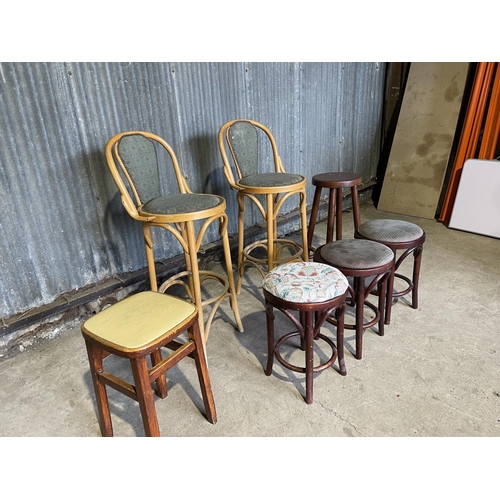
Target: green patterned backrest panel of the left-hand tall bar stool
138	154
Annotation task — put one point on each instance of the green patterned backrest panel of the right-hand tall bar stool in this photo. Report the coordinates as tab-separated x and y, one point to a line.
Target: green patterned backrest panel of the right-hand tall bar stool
243	140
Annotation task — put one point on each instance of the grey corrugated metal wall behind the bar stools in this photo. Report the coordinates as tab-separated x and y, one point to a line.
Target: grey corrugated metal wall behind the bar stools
63	226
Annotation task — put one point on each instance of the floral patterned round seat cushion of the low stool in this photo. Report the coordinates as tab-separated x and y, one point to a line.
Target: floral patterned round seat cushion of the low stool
305	282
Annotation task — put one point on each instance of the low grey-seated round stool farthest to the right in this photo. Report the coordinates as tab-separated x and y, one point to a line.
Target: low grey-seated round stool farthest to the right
397	235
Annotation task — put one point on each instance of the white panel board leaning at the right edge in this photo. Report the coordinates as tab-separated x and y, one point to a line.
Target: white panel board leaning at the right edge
477	204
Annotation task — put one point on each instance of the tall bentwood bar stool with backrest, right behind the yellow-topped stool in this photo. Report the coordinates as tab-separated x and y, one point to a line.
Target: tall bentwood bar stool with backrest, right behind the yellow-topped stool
134	160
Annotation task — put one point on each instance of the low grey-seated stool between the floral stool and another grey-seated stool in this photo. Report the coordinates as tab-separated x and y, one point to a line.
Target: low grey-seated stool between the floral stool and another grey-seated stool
360	259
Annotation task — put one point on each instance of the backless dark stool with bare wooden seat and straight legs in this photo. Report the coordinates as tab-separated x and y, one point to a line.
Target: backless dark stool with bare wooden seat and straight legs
335	182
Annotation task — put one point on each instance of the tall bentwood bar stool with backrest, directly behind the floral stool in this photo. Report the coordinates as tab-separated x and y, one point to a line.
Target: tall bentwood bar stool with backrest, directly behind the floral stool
256	173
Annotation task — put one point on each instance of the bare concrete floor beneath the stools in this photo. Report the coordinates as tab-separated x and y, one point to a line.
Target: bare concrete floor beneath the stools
434	373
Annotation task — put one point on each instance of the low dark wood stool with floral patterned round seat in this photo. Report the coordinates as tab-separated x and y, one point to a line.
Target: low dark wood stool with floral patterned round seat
316	291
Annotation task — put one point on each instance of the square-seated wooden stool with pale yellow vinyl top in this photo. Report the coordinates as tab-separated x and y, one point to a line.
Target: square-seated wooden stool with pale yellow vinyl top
135	328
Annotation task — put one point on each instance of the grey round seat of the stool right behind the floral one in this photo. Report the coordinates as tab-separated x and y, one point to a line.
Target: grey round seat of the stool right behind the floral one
356	254
